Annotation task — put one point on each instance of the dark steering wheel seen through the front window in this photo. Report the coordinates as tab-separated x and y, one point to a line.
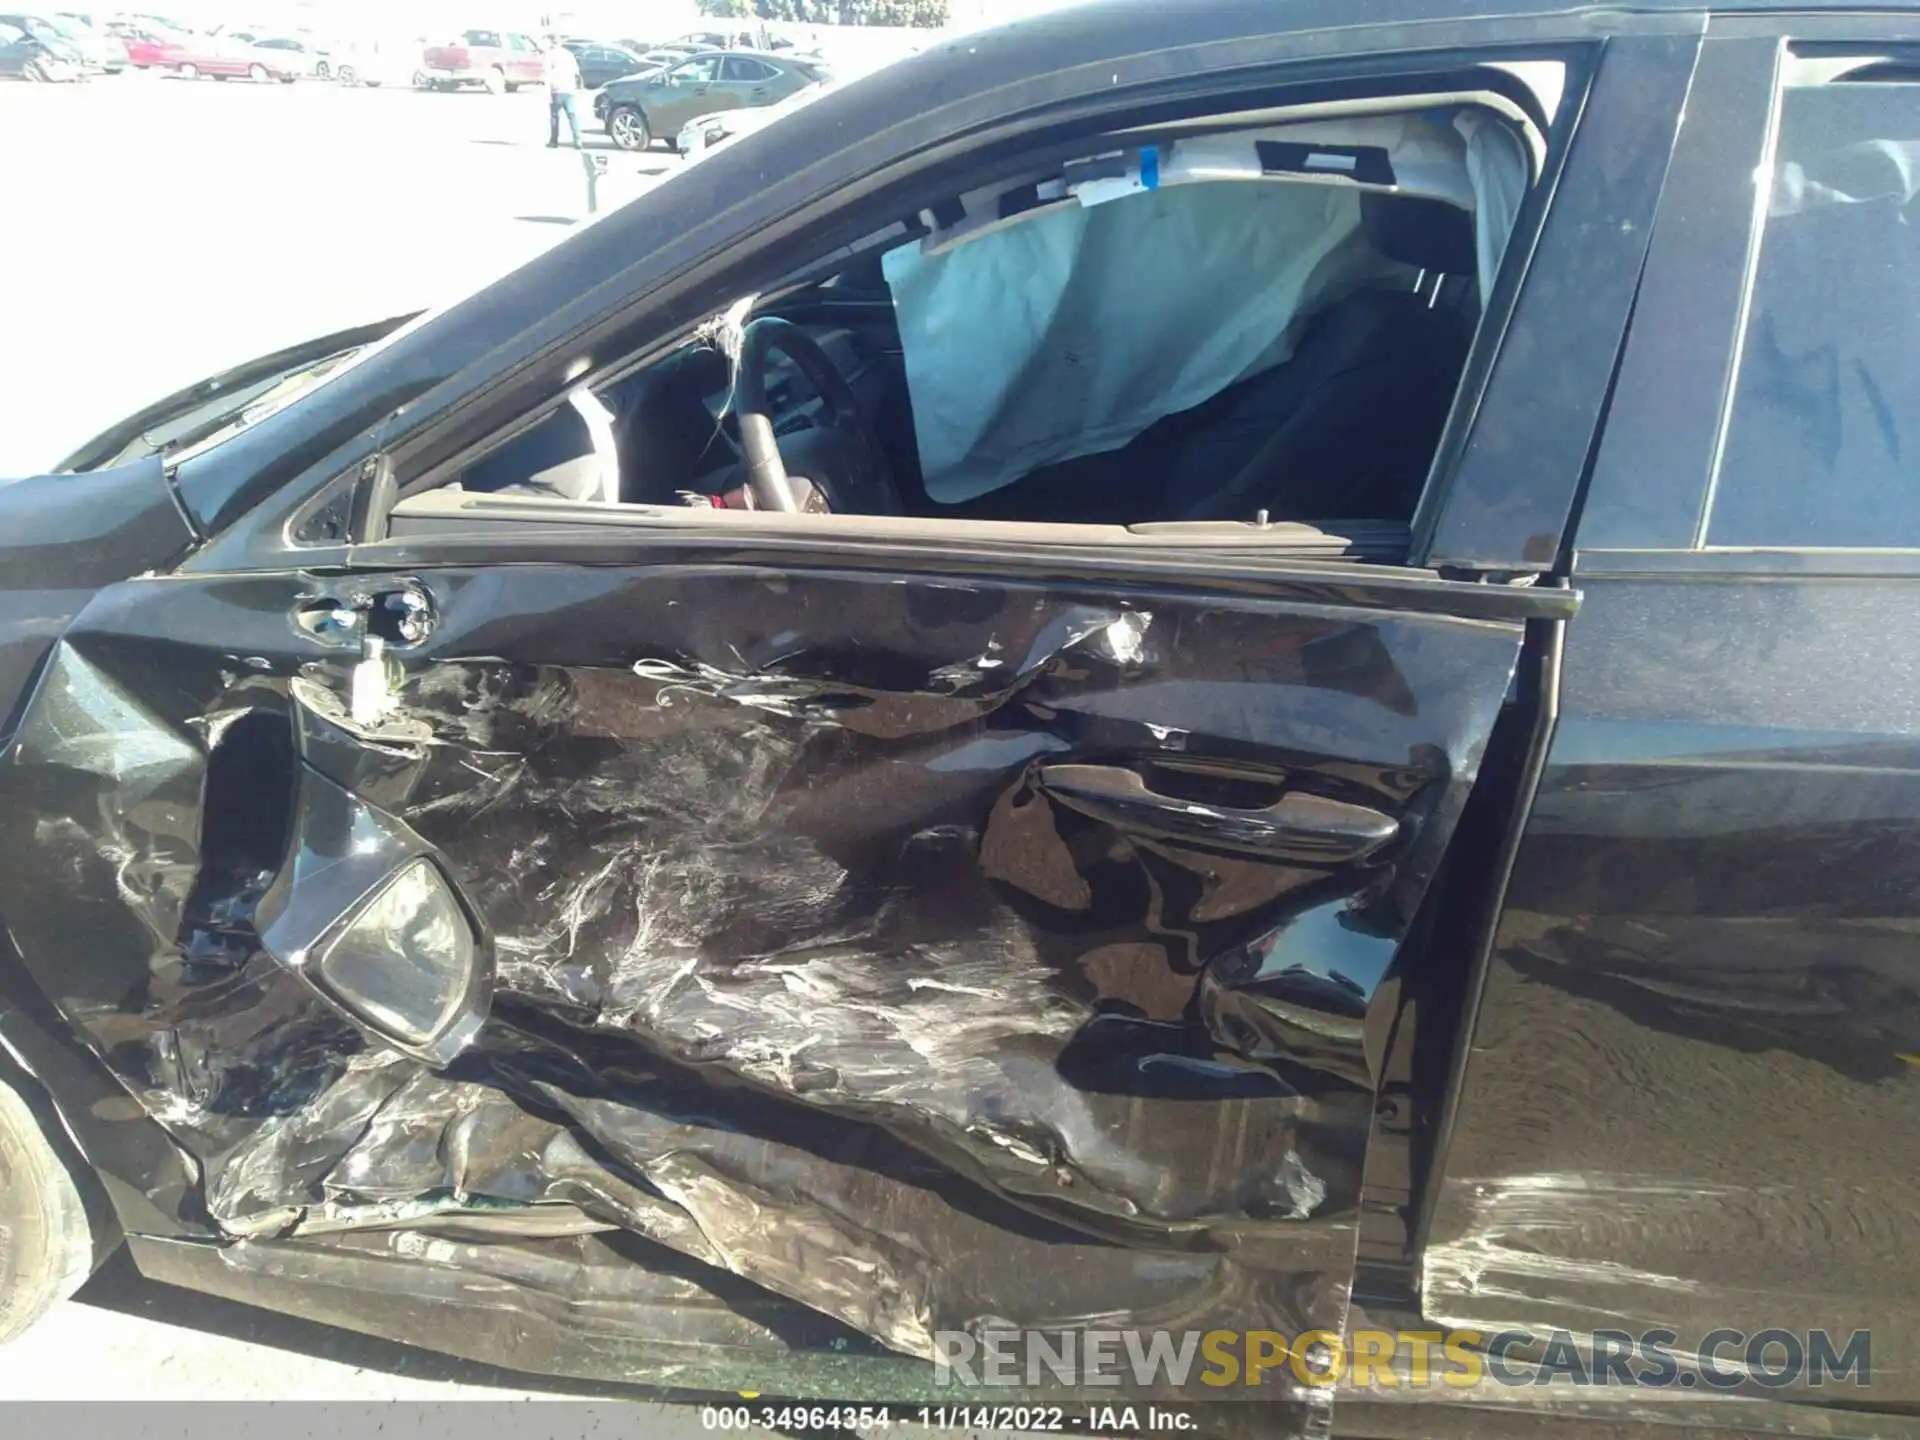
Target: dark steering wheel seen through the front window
857	479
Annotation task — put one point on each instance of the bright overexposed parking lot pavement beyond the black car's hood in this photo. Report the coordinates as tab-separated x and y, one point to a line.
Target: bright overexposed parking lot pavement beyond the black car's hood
156	231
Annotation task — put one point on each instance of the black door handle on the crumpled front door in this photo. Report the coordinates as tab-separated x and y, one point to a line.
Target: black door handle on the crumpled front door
1293	828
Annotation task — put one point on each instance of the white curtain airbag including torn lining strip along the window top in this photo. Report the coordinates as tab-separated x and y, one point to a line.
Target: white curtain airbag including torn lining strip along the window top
1151	287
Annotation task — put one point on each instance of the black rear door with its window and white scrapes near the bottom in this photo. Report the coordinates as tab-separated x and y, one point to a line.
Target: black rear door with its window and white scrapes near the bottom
1712	907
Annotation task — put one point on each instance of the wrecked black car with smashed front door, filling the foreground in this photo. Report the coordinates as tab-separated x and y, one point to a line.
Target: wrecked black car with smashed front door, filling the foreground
1178	669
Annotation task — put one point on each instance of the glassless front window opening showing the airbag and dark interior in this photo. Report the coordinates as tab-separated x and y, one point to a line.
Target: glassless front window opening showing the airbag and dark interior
1074	345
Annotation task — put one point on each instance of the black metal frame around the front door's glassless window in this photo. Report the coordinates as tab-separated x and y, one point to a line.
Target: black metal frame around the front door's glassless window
652	320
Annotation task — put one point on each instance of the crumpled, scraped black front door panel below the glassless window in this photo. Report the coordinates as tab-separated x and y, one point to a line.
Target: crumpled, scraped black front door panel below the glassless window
807	967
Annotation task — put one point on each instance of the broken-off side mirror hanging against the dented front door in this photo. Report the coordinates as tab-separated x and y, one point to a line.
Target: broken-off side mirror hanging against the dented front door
373	921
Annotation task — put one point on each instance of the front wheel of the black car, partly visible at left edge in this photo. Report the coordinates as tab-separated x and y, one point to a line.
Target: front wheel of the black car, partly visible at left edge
47	1247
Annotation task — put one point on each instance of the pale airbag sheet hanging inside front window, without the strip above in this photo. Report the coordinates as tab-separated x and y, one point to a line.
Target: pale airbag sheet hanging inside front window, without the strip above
1072	333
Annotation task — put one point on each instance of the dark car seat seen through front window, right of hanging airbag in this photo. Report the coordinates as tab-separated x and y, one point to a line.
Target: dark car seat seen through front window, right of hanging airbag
1353	421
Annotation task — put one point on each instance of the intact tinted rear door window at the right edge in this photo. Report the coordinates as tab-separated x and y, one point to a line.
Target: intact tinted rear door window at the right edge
1823	443
